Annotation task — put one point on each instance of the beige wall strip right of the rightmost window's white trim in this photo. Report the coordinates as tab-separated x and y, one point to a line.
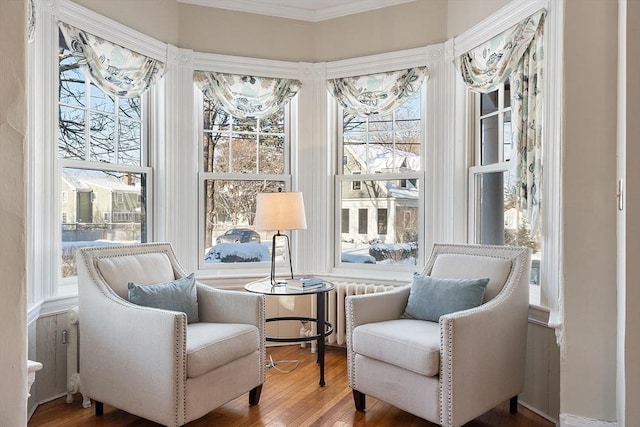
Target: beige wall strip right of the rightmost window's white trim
588	356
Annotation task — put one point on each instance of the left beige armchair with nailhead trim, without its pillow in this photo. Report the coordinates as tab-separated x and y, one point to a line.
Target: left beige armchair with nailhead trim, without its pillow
149	361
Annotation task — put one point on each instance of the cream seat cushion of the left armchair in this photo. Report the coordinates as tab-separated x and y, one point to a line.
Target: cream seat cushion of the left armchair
211	345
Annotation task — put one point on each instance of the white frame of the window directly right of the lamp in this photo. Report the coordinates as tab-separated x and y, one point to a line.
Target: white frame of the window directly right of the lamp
435	224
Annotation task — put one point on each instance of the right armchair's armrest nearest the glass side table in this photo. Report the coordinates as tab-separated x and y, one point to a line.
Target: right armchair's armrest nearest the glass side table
378	307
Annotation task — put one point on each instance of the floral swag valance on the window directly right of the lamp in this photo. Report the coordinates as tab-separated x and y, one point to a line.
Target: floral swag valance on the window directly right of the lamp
378	93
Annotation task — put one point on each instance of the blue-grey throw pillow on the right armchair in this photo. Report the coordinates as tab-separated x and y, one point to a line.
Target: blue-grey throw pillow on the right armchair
432	297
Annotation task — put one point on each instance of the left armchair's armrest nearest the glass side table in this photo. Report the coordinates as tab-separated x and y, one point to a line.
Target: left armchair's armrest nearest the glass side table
225	306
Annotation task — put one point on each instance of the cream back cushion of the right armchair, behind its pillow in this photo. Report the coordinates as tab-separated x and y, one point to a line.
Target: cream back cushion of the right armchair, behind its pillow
464	266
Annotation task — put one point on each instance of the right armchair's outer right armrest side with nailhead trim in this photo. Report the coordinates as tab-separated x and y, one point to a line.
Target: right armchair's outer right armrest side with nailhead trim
483	354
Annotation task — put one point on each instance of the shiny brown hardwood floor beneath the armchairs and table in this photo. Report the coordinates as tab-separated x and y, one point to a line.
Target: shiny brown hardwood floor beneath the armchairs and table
288	399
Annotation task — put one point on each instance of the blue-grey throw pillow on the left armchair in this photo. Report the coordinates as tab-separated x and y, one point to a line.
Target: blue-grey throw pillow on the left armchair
177	295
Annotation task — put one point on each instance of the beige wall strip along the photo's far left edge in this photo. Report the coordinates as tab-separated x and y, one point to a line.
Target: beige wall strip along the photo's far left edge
13	129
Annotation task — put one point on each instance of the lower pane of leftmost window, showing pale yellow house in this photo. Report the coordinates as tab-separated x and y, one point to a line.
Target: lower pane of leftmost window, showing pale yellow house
101	208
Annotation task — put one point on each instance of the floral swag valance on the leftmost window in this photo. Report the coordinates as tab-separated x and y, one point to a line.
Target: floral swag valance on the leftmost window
114	69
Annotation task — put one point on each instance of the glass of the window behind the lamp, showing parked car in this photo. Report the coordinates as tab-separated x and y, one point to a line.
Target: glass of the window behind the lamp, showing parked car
240	158
